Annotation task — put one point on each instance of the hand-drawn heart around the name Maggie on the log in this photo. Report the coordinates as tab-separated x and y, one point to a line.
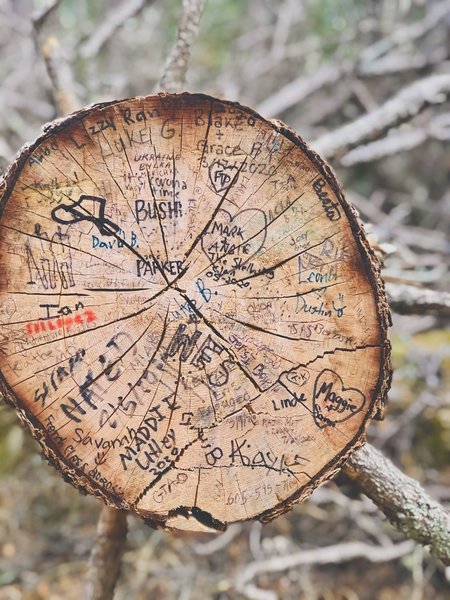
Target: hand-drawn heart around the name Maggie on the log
332	402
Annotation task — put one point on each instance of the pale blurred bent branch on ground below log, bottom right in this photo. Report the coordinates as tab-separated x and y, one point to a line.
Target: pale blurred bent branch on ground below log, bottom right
335	554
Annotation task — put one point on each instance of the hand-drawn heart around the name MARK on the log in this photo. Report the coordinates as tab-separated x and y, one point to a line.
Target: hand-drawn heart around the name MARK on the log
240	236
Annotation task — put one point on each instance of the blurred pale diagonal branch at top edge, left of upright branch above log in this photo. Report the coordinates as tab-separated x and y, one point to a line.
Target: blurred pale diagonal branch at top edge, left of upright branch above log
111	23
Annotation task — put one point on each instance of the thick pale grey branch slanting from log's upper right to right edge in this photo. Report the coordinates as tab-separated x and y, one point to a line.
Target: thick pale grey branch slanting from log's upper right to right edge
402	107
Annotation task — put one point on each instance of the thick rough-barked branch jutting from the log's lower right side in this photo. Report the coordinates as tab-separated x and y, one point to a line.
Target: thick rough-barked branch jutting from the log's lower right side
402	499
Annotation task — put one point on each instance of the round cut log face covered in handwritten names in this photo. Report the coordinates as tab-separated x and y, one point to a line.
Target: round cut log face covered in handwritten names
193	325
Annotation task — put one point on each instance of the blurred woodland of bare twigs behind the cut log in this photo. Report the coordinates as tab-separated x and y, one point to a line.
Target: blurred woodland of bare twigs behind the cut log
317	65
